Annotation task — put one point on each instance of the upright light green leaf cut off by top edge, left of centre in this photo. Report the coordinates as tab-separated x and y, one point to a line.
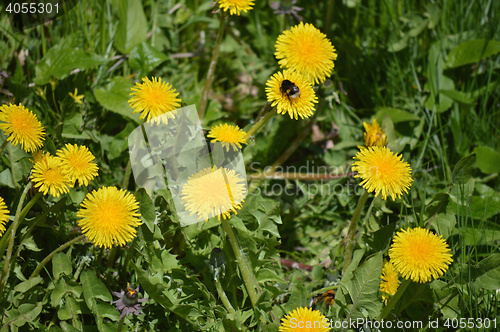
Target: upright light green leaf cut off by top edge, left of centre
132	27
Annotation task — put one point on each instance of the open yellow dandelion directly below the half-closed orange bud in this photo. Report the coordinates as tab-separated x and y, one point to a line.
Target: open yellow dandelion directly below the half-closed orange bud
382	171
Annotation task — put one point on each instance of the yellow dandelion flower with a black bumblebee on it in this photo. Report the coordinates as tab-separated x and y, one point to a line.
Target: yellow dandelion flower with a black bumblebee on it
282	88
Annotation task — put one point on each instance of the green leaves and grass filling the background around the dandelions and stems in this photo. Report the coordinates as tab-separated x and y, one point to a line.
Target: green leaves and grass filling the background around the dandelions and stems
427	71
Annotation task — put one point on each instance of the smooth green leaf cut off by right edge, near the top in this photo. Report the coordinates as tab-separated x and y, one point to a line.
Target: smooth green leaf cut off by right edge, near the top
472	51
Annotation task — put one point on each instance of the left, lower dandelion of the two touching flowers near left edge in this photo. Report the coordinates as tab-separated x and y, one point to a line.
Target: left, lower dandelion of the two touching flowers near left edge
50	176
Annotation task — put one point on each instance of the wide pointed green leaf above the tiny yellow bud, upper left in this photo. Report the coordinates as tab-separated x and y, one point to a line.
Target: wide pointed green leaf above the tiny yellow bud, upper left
63	58
